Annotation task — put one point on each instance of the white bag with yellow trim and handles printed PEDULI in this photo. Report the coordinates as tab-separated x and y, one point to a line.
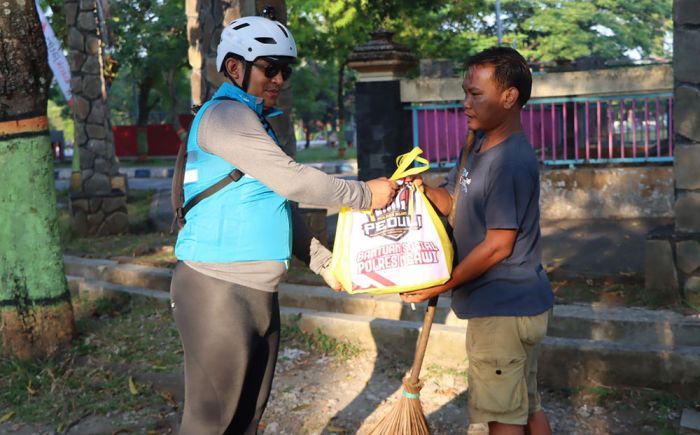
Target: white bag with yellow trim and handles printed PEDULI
400	248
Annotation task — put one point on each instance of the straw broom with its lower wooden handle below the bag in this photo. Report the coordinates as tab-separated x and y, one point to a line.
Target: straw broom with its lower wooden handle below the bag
406	418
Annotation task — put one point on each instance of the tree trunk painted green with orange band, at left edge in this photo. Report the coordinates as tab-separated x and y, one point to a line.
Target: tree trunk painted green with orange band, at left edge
36	316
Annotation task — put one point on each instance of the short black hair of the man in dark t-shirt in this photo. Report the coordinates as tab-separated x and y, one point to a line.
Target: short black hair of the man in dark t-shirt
510	69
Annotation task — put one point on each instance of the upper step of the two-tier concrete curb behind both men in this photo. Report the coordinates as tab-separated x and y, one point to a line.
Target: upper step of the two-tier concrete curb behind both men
580	321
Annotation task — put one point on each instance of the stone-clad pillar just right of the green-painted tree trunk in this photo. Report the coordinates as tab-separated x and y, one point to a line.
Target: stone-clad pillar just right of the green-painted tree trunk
99	207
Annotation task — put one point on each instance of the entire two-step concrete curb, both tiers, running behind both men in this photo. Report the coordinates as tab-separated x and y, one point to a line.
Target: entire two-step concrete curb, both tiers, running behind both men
615	347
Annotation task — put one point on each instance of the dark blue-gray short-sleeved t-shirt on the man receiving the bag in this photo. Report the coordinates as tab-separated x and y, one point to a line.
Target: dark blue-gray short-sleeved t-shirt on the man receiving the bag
500	189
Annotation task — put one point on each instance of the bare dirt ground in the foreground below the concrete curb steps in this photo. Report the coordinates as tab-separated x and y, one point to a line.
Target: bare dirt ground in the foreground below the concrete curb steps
320	394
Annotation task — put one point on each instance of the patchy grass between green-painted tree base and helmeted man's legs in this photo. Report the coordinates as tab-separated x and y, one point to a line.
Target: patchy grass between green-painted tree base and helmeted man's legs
115	338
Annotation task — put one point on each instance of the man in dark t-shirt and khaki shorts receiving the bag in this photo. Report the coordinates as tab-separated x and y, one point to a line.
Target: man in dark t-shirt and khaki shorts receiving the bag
498	282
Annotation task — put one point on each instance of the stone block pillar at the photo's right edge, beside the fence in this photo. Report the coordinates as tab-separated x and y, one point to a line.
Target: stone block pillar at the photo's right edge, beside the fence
673	256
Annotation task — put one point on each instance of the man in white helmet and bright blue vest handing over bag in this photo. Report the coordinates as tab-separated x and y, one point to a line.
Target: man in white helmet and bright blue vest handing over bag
239	232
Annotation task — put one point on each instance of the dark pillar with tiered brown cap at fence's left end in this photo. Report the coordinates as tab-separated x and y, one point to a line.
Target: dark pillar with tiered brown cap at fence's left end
383	126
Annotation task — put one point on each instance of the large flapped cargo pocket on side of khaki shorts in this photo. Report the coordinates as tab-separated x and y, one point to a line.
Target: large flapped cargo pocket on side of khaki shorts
497	386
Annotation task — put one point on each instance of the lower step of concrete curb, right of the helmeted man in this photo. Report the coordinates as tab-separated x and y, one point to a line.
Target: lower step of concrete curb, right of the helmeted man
564	362
